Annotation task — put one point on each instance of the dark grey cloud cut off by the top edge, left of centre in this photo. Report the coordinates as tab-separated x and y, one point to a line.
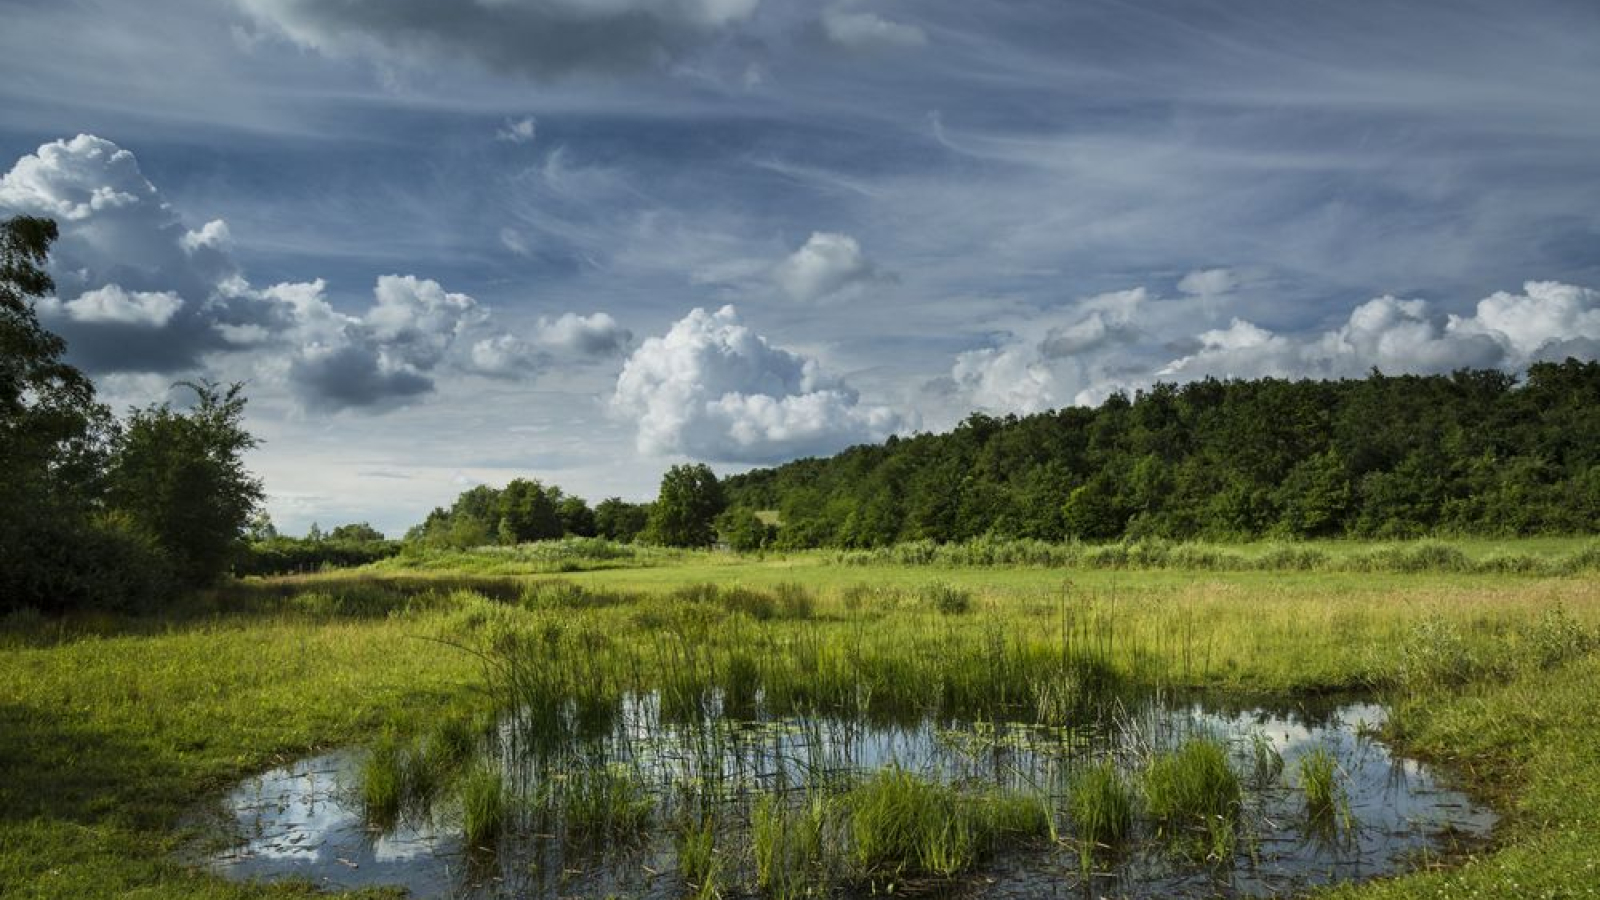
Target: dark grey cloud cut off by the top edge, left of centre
527	38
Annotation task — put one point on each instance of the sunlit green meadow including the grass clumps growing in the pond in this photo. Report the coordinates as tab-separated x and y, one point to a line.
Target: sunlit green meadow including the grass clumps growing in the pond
116	733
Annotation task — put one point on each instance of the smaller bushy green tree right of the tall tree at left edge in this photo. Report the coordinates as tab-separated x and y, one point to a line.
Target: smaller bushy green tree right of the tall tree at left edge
182	478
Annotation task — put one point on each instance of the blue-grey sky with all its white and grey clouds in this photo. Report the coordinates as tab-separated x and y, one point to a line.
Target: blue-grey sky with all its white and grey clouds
454	243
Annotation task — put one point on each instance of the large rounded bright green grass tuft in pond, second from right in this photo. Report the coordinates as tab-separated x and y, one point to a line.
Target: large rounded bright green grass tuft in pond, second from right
1194	792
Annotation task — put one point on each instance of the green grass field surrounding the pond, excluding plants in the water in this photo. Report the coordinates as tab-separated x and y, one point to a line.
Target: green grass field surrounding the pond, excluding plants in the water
113	733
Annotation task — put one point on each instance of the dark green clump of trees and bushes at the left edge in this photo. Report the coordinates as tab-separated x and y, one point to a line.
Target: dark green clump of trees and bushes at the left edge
102	515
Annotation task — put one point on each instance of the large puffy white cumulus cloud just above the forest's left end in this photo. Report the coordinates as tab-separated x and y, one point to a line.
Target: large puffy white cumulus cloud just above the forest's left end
714	390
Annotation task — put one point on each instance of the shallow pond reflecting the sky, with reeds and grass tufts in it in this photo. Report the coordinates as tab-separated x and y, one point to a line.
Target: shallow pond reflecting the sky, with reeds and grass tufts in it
562	837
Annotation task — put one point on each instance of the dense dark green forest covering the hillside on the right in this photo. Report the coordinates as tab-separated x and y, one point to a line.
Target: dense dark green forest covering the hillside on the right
1473	452
